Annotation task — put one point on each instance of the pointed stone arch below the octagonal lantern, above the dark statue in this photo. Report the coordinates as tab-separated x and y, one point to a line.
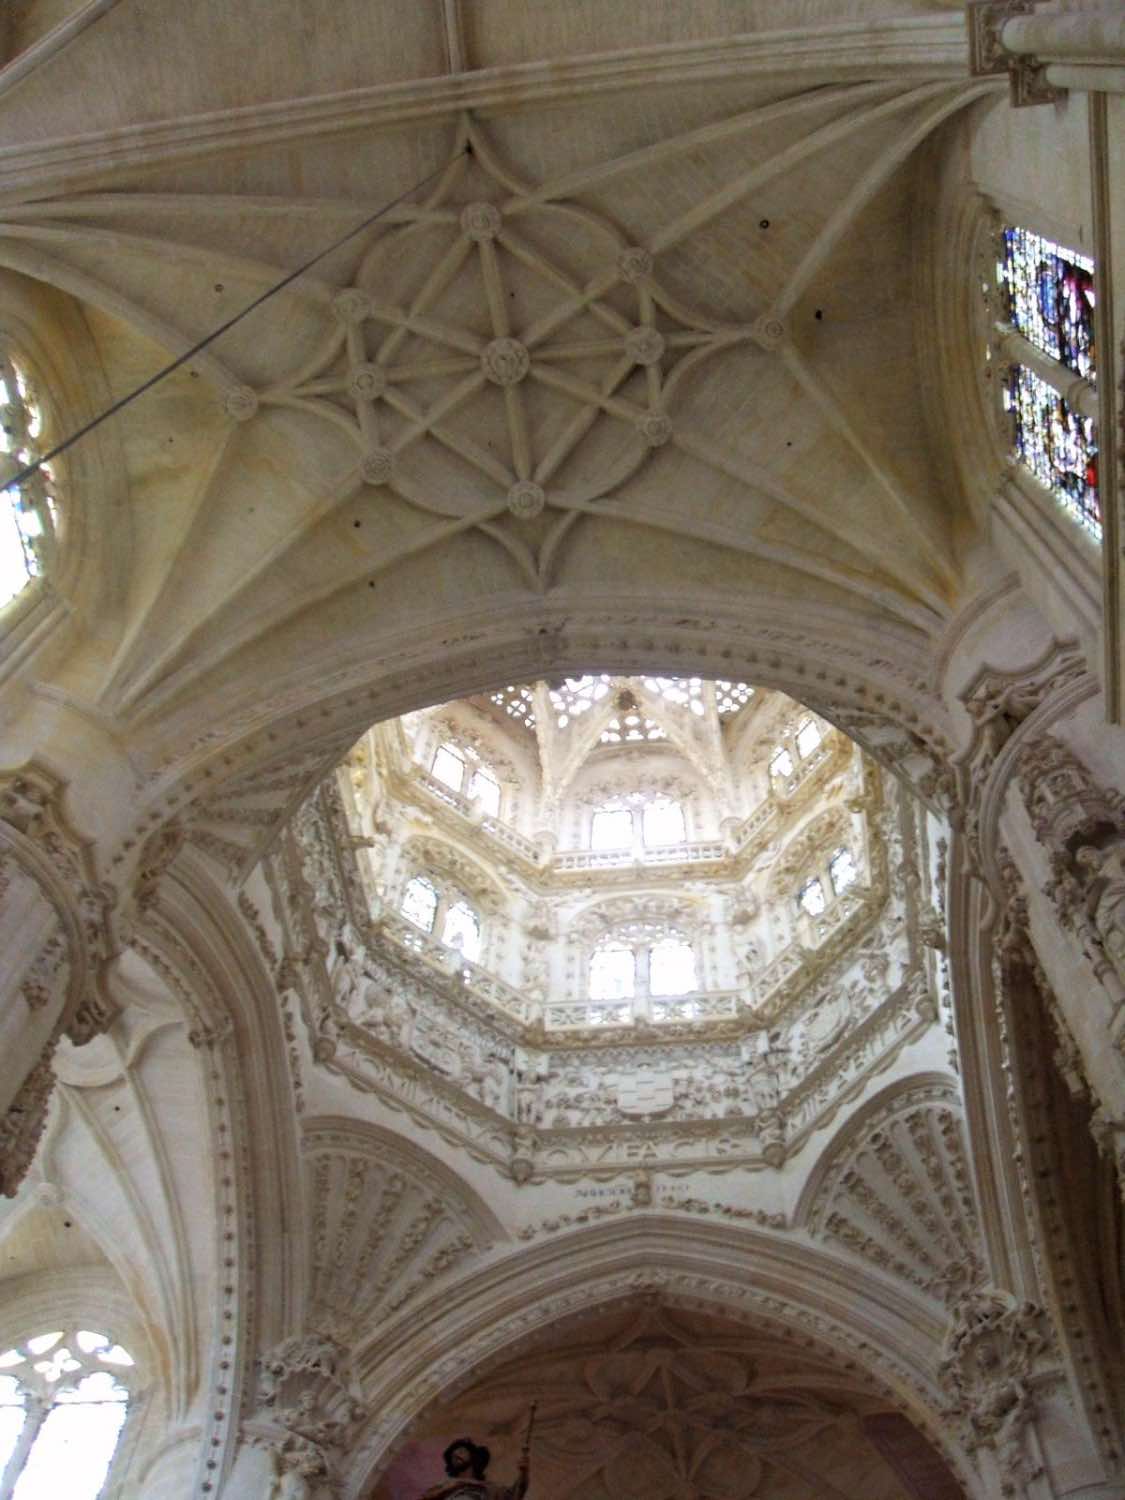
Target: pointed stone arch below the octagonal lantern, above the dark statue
788	1289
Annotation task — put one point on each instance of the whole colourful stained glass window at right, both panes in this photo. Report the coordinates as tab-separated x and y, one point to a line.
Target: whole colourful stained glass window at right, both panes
1051	298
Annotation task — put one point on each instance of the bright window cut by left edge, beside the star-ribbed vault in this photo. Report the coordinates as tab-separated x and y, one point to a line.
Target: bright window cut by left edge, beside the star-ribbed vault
28	515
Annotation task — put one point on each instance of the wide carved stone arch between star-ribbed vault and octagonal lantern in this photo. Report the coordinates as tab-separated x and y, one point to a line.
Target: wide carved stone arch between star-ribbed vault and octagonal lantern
875	691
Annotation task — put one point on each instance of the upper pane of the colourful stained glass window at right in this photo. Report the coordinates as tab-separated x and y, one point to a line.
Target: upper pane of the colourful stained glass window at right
1051	298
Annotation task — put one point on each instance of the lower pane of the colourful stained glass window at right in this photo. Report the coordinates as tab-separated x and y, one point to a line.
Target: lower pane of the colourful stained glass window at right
1057	443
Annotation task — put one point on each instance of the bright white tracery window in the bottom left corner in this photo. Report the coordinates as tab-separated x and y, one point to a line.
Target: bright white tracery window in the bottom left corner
64	1402
